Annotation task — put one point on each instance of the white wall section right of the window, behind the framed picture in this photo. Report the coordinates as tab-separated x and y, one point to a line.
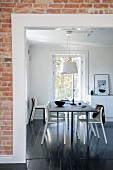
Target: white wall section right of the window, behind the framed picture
100	62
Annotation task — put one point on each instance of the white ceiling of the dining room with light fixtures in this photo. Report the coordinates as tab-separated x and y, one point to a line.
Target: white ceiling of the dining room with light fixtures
77	36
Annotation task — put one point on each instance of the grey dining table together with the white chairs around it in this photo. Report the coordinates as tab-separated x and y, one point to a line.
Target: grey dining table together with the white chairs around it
55	112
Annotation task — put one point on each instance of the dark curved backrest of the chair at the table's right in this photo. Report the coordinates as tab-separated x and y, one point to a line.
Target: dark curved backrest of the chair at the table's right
100	115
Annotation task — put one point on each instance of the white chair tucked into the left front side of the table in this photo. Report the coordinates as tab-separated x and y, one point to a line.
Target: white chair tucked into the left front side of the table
52	118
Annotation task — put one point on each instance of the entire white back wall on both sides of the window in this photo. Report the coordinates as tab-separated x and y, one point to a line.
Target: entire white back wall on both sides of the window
100	62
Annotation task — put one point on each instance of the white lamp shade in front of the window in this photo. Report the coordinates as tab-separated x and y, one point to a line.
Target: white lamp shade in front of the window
68	67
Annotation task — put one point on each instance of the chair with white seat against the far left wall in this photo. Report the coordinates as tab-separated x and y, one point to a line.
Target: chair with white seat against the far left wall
34	107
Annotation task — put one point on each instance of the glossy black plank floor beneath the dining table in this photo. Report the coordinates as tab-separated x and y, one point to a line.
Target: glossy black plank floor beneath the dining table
66	157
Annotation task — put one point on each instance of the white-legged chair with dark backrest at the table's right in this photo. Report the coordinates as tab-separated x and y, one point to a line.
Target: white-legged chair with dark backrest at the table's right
97	118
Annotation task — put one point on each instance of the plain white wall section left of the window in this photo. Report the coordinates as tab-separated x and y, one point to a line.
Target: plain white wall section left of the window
39	74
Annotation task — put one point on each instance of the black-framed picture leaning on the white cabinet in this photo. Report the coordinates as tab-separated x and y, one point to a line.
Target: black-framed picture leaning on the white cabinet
101	84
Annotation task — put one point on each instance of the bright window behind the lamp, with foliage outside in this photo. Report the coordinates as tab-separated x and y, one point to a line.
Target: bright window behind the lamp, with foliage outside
63	83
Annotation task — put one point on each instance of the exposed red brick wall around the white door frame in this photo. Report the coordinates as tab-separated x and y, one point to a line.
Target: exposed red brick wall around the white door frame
30	6
